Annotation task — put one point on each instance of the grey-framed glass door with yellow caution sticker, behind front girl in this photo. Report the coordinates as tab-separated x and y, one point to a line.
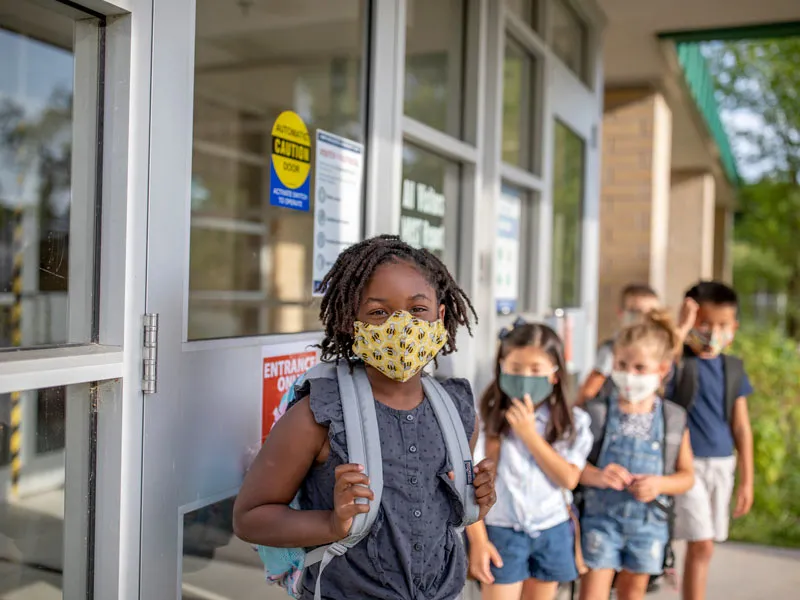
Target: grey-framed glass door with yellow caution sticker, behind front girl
233	254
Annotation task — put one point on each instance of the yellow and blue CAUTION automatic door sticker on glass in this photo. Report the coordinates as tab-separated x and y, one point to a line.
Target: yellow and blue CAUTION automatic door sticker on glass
290	166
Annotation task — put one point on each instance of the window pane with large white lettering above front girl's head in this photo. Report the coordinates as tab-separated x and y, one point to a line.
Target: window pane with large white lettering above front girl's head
430	196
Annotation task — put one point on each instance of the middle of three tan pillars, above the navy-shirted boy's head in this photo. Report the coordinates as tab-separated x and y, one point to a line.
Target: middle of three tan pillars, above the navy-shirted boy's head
691	233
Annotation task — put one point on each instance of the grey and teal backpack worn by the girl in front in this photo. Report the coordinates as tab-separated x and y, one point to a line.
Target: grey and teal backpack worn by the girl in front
285	566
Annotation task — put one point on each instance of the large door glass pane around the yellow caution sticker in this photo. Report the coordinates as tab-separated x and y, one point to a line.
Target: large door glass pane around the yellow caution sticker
251	263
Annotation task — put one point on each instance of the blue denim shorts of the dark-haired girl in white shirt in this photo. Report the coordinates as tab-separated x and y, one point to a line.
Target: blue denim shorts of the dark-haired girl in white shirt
548	556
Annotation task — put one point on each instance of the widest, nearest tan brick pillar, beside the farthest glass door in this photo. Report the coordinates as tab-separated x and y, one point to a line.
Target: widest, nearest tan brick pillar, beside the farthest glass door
634	205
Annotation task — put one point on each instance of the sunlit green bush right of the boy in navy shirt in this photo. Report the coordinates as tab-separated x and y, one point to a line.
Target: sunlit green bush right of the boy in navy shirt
773	364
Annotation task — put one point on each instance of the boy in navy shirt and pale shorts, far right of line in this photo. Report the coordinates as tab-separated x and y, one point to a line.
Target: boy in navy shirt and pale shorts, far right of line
718	424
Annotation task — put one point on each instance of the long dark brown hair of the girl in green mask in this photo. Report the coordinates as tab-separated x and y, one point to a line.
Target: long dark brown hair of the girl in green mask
495	403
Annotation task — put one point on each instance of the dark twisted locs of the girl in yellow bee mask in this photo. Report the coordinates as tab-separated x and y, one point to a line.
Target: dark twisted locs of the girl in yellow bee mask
343	285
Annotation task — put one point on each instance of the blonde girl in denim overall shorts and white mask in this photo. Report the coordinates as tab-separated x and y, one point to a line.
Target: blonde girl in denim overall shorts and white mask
641	457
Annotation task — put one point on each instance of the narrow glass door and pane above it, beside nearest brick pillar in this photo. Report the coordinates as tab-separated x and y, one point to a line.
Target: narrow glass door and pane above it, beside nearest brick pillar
573	166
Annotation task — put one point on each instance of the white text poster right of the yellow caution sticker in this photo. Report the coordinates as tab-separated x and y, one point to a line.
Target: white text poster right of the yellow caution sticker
338	204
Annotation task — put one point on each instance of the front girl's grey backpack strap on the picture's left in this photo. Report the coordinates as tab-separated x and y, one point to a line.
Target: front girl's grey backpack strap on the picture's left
363	448
